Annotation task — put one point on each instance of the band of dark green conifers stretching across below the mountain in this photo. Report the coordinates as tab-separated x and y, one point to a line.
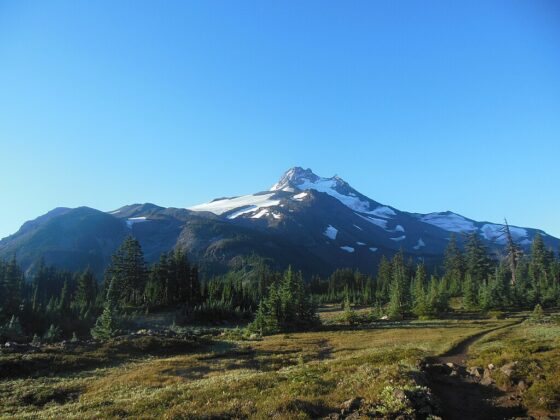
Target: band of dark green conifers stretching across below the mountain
54	303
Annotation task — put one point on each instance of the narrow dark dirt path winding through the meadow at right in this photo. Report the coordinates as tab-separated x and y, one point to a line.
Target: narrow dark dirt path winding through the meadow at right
461	395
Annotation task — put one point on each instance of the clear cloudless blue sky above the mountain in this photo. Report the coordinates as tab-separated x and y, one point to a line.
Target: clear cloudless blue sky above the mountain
423	105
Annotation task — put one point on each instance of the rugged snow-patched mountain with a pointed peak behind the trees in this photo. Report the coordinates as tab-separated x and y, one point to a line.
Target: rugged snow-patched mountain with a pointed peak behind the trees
315	224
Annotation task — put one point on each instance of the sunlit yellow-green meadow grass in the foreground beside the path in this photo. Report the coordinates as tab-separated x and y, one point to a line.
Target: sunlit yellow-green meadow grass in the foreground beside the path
297	375
